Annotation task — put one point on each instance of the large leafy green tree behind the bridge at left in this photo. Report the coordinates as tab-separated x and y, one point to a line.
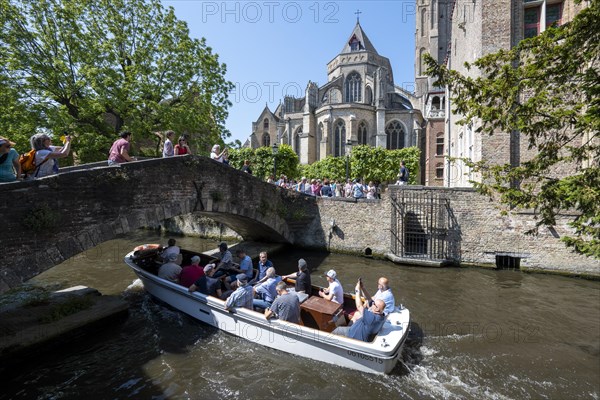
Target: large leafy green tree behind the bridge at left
96	67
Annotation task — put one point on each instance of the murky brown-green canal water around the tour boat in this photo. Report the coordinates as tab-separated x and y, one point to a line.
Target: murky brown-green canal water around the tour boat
476	334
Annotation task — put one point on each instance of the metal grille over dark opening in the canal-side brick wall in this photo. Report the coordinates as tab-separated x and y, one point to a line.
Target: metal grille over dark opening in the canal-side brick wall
421	222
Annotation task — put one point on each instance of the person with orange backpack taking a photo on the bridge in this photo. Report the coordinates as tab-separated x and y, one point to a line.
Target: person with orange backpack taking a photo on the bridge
46	155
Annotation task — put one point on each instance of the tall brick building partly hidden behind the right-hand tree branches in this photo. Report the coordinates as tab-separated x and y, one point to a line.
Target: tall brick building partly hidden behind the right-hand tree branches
459	31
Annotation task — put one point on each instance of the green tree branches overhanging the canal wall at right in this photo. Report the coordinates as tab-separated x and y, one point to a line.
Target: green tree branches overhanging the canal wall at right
548	89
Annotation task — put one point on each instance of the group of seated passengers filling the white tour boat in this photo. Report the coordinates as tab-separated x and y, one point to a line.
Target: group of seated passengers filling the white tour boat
263	290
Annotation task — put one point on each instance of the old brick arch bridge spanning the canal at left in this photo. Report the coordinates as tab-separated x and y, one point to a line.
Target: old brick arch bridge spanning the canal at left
49	220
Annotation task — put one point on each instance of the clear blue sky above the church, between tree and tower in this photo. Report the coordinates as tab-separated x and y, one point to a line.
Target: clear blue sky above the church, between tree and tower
273	48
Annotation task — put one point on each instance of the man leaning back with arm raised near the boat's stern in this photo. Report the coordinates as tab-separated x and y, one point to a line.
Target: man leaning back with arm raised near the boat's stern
366	321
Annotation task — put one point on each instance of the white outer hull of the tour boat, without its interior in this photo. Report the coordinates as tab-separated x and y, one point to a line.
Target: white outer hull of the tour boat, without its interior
379	356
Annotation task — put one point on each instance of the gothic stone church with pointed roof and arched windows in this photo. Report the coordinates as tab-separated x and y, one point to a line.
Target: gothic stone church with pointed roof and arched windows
359	104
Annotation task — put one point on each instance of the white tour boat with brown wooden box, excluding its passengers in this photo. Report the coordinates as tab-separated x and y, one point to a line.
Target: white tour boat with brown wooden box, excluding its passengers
312	338
